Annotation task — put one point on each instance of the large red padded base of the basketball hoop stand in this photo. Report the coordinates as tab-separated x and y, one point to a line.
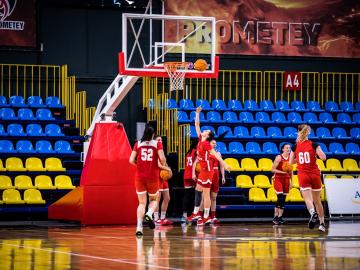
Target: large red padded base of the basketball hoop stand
107	181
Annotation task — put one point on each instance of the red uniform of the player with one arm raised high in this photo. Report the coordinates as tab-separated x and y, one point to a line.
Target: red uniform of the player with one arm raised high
206	171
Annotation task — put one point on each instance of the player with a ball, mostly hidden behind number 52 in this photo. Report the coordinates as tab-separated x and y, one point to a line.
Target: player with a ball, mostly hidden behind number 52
164	193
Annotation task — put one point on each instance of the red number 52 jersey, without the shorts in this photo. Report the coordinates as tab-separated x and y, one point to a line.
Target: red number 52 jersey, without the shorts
147	159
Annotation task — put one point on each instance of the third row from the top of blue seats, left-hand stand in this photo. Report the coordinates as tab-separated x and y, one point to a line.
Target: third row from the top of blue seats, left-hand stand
52	130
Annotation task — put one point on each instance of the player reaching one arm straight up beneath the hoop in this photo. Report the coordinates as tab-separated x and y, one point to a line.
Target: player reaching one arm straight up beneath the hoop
204	149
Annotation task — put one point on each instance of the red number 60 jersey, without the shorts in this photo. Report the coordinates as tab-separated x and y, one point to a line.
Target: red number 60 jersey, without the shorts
305	154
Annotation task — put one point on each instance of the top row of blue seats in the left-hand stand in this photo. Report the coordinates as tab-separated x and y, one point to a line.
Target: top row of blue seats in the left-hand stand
32	101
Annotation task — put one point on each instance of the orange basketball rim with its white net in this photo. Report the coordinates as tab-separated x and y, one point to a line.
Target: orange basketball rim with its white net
176	71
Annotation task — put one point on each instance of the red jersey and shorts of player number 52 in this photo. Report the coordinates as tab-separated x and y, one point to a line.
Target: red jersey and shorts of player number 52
147	170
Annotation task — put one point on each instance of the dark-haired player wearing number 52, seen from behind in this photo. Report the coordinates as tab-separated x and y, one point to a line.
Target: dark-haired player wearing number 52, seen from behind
145	156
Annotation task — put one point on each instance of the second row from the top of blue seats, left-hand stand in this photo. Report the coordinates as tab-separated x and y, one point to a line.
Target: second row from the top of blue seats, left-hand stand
25	114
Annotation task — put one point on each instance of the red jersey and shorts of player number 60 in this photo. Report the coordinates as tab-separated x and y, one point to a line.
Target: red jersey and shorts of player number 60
308	171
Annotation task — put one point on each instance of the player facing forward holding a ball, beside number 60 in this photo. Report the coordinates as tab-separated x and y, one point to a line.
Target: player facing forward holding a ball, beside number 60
281	182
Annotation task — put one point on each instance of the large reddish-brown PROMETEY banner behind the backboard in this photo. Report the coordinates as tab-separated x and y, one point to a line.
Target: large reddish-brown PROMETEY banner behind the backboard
274	27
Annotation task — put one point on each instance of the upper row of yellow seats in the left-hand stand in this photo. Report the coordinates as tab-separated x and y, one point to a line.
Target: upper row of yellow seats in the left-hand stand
32	164
